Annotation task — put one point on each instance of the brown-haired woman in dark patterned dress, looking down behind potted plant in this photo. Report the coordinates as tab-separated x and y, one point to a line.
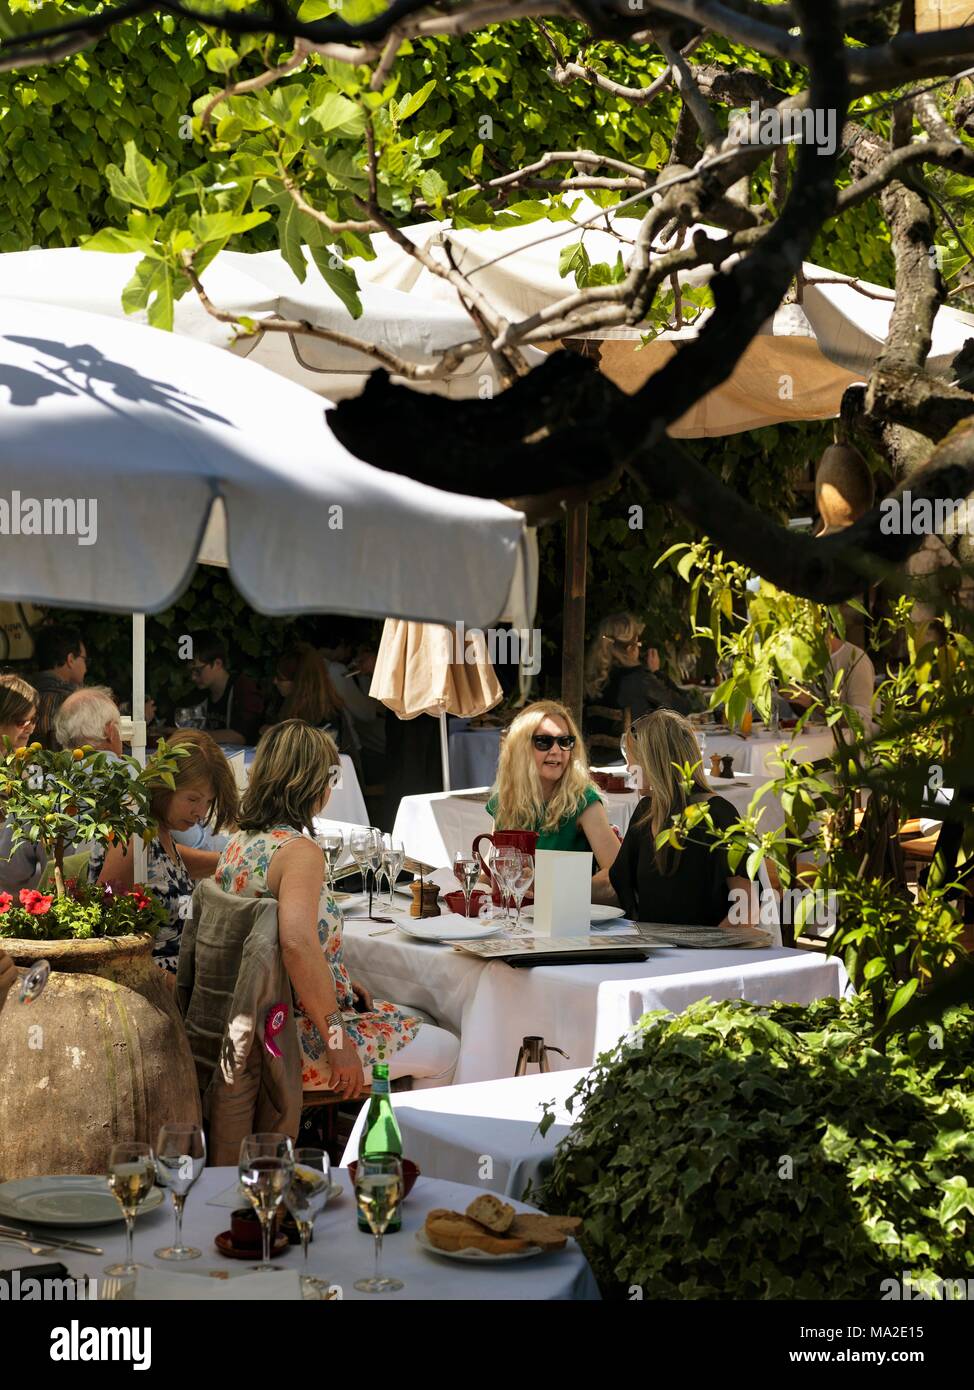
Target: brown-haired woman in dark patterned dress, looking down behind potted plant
205	792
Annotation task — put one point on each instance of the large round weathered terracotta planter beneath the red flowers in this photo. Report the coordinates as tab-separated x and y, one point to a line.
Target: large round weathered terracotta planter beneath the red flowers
101	1057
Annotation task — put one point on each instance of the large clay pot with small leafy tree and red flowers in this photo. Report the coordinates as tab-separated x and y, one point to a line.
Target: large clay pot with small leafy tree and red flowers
105	1057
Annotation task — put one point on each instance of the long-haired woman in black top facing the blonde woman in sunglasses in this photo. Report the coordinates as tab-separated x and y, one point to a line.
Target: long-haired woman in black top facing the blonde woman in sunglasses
693	886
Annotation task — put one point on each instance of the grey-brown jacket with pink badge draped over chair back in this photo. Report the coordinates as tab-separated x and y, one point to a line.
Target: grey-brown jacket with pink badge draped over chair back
231	974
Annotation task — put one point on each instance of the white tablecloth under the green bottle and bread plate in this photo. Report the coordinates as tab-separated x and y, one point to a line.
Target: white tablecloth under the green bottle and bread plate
340	1253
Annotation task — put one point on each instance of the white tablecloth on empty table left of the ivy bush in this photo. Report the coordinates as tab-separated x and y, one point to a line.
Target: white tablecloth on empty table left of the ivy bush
484	1135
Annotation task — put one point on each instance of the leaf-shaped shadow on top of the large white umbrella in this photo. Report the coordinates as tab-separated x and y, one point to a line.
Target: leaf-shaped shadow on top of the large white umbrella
85	370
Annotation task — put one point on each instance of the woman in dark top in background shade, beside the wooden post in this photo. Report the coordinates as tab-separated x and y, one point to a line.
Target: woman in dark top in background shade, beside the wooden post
618	679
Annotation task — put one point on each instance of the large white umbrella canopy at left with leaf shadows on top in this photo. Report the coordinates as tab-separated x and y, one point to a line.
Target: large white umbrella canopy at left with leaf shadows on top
152	429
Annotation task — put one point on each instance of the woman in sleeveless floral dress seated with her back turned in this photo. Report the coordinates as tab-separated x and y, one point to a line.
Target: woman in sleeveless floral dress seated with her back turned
342	1029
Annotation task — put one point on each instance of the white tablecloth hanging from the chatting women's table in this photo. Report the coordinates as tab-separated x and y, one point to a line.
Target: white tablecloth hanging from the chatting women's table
583	1008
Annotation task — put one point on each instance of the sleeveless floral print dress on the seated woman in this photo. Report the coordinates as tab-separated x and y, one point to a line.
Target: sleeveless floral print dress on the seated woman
377	1035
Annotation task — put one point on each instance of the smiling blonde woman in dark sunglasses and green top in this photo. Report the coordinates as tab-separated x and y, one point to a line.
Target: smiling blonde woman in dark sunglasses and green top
544	785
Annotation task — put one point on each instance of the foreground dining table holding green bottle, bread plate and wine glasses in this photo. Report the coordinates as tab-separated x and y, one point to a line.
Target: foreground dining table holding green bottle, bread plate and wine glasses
340	1253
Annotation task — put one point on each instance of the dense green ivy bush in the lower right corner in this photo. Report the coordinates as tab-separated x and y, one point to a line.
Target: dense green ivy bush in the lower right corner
738	1152
